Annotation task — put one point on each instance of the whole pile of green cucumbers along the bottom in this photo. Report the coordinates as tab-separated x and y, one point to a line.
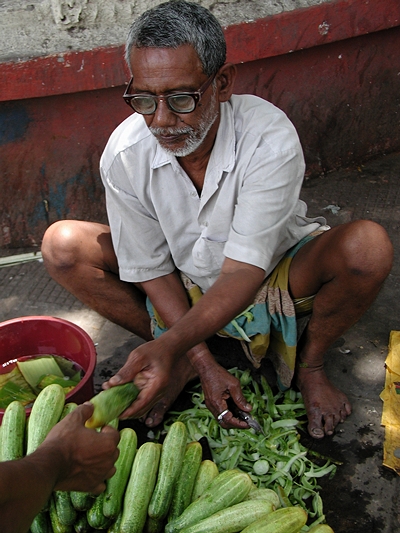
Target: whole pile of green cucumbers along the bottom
156	488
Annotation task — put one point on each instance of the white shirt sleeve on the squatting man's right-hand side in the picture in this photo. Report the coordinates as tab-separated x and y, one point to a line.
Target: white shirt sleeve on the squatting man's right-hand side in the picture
269	217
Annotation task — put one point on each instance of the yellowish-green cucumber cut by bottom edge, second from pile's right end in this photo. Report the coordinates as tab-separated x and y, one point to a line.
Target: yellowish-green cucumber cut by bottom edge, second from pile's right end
284	520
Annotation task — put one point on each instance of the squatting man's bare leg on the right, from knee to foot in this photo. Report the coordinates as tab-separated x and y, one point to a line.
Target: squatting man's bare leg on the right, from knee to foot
345	268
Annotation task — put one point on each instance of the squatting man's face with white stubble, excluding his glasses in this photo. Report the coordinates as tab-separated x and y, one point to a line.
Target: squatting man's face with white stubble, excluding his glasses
162	71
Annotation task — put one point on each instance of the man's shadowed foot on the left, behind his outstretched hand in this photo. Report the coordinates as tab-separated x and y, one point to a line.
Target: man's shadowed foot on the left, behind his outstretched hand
183	373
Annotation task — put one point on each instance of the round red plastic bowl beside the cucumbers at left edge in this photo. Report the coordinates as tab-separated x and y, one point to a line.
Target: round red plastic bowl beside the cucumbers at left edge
35	335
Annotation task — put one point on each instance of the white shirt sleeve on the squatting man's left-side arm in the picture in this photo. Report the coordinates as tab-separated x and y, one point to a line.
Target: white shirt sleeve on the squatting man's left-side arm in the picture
140	245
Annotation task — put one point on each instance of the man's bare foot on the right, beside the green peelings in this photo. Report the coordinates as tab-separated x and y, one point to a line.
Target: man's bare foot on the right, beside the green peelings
326	406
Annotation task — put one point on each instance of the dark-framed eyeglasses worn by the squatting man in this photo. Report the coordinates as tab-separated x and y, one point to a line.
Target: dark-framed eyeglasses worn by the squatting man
185	102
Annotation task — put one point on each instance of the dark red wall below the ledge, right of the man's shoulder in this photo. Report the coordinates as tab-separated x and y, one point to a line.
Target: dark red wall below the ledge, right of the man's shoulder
343	97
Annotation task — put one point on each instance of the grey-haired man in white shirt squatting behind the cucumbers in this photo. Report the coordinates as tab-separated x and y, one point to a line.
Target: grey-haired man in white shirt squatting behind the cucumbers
202	190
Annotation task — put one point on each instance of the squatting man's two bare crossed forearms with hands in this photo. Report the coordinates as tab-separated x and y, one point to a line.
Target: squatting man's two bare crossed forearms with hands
151	365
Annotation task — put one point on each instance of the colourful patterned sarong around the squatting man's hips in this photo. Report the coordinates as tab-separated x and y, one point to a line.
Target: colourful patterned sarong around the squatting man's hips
271	326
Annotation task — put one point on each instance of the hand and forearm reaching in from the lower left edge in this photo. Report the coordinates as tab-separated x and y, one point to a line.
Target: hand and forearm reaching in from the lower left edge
71	457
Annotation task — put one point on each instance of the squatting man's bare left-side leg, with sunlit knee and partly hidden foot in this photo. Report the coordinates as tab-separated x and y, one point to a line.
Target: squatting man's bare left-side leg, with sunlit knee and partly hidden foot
80	257
